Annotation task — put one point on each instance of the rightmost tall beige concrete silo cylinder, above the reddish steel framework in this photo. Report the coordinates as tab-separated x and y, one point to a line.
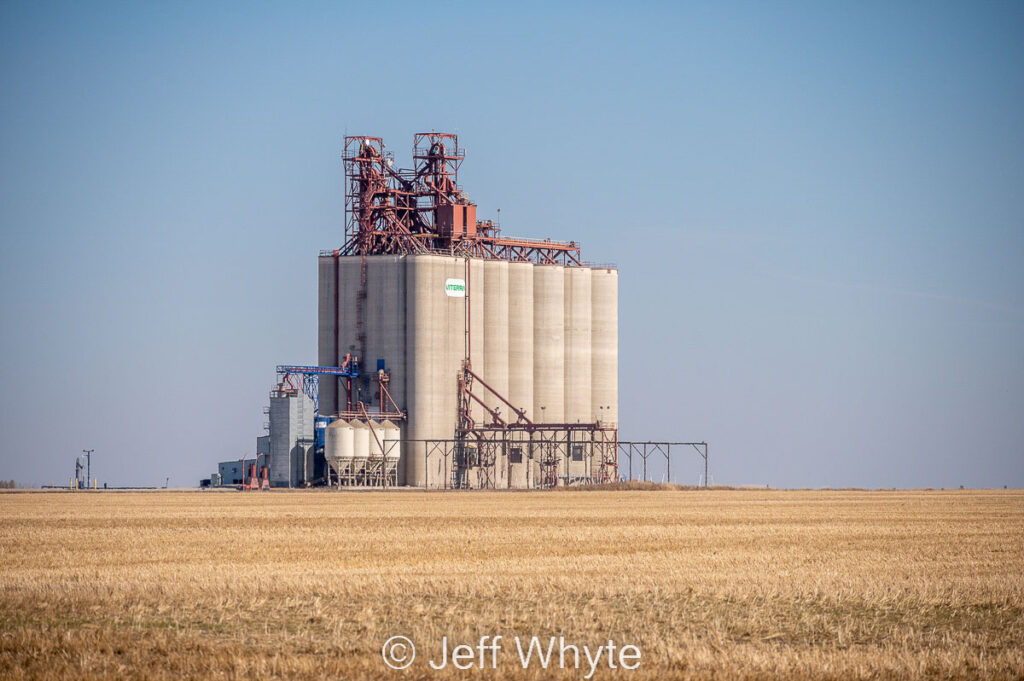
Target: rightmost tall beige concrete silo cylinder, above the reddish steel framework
605	343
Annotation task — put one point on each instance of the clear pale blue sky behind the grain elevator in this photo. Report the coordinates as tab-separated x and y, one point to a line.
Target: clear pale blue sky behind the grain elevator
818	210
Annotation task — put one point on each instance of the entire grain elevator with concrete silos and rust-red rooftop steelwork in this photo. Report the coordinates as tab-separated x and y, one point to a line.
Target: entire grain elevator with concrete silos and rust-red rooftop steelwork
450	356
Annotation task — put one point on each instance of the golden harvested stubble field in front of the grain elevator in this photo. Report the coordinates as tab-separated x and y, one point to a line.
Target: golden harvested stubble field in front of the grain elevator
731	584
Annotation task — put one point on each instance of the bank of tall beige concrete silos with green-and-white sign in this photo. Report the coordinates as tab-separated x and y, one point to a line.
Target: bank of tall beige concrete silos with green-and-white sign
545	337
